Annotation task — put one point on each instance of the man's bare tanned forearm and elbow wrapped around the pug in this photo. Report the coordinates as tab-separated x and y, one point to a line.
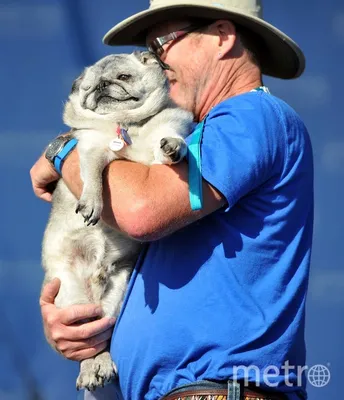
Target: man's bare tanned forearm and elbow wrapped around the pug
145	202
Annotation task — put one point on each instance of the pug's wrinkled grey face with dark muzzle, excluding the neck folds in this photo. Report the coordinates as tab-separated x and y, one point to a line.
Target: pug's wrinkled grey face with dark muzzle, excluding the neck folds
118	82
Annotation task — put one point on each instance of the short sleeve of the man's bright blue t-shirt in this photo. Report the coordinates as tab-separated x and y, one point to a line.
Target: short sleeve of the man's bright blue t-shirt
239	151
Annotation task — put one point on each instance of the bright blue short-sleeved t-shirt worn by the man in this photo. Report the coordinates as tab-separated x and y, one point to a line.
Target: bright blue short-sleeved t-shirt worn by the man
230	289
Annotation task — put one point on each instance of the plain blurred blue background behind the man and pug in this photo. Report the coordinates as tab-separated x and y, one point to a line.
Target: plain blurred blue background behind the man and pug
44	46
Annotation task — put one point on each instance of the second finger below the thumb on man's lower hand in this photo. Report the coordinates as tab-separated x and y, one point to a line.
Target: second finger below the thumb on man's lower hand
89	329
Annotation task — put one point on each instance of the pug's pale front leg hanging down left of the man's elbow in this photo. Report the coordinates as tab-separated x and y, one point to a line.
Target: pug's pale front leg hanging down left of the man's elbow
94	157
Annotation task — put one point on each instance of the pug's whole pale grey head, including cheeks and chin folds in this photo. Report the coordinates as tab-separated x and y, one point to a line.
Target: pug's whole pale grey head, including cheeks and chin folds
119	87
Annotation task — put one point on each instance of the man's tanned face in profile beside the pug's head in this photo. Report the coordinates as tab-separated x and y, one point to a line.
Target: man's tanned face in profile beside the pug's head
188	62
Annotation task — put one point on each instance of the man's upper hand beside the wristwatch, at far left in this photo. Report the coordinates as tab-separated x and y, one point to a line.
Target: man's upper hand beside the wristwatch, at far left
42	176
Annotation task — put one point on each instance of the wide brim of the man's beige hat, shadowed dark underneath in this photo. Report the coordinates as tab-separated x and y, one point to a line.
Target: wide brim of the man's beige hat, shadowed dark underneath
282	57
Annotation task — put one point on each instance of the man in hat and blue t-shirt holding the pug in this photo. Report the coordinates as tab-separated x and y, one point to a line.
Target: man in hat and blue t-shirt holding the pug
223	287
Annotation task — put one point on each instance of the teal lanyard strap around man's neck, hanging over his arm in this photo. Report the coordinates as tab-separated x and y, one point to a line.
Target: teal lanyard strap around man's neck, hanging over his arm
195	165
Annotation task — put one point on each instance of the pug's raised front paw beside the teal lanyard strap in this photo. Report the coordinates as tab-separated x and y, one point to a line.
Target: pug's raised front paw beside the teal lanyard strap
171	151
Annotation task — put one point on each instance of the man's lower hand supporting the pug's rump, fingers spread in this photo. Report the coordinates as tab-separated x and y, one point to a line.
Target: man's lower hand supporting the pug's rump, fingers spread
64	331
